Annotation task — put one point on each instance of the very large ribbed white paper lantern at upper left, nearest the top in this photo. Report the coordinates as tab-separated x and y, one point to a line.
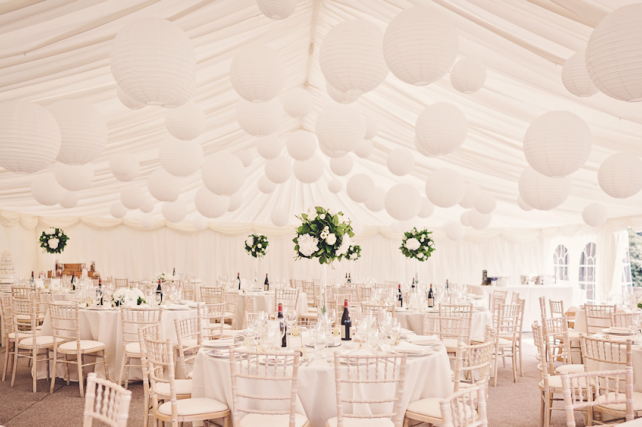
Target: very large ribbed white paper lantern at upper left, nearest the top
153	61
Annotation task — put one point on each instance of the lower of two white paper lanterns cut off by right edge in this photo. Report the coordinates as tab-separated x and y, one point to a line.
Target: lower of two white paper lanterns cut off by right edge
620	175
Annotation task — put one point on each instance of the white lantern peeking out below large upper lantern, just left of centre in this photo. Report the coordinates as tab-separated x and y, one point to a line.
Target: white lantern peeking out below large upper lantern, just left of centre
259	119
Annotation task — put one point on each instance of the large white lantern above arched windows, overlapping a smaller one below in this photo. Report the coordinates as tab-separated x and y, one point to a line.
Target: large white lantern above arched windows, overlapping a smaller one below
557	143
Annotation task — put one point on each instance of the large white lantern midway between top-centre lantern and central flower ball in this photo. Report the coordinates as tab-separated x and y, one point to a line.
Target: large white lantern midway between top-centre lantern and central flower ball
340	128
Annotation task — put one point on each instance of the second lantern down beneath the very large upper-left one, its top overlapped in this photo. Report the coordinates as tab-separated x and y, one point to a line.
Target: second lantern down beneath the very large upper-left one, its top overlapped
181	158
